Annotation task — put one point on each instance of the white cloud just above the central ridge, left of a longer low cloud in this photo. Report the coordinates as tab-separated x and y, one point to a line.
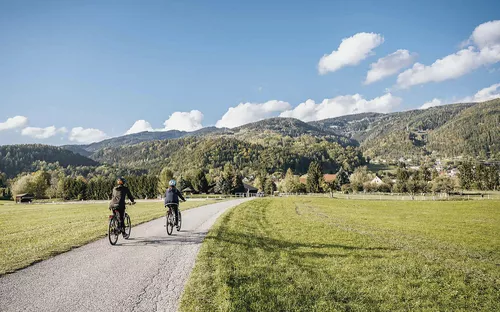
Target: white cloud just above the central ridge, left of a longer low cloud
249	112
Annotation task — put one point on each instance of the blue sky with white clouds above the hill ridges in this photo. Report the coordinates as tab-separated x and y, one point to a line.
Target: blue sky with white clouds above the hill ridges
75	72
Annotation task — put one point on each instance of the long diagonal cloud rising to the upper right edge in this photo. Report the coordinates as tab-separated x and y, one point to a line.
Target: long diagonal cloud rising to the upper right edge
484	51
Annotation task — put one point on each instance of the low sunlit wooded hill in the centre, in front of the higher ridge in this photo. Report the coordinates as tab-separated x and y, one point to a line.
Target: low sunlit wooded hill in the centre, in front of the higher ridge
213	152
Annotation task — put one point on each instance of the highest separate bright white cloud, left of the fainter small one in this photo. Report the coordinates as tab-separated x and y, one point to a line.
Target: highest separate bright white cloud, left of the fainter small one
351	51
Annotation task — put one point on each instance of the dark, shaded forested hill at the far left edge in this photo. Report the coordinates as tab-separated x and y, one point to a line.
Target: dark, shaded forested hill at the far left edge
15	159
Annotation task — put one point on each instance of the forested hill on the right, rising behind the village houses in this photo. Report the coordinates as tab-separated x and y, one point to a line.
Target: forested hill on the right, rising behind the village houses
468	129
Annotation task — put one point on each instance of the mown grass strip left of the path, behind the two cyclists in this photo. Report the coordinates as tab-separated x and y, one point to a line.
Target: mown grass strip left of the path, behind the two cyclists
30	233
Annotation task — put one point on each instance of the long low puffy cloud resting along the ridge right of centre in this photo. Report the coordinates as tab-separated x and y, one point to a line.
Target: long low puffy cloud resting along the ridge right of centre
342	105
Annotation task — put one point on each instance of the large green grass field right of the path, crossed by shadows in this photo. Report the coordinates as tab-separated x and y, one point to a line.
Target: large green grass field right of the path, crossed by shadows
315	254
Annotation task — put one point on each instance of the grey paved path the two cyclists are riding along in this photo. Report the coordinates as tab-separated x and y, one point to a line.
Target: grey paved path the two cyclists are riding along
146	273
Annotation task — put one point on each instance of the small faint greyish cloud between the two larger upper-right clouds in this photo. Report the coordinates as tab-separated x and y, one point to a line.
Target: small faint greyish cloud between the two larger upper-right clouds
389	65
